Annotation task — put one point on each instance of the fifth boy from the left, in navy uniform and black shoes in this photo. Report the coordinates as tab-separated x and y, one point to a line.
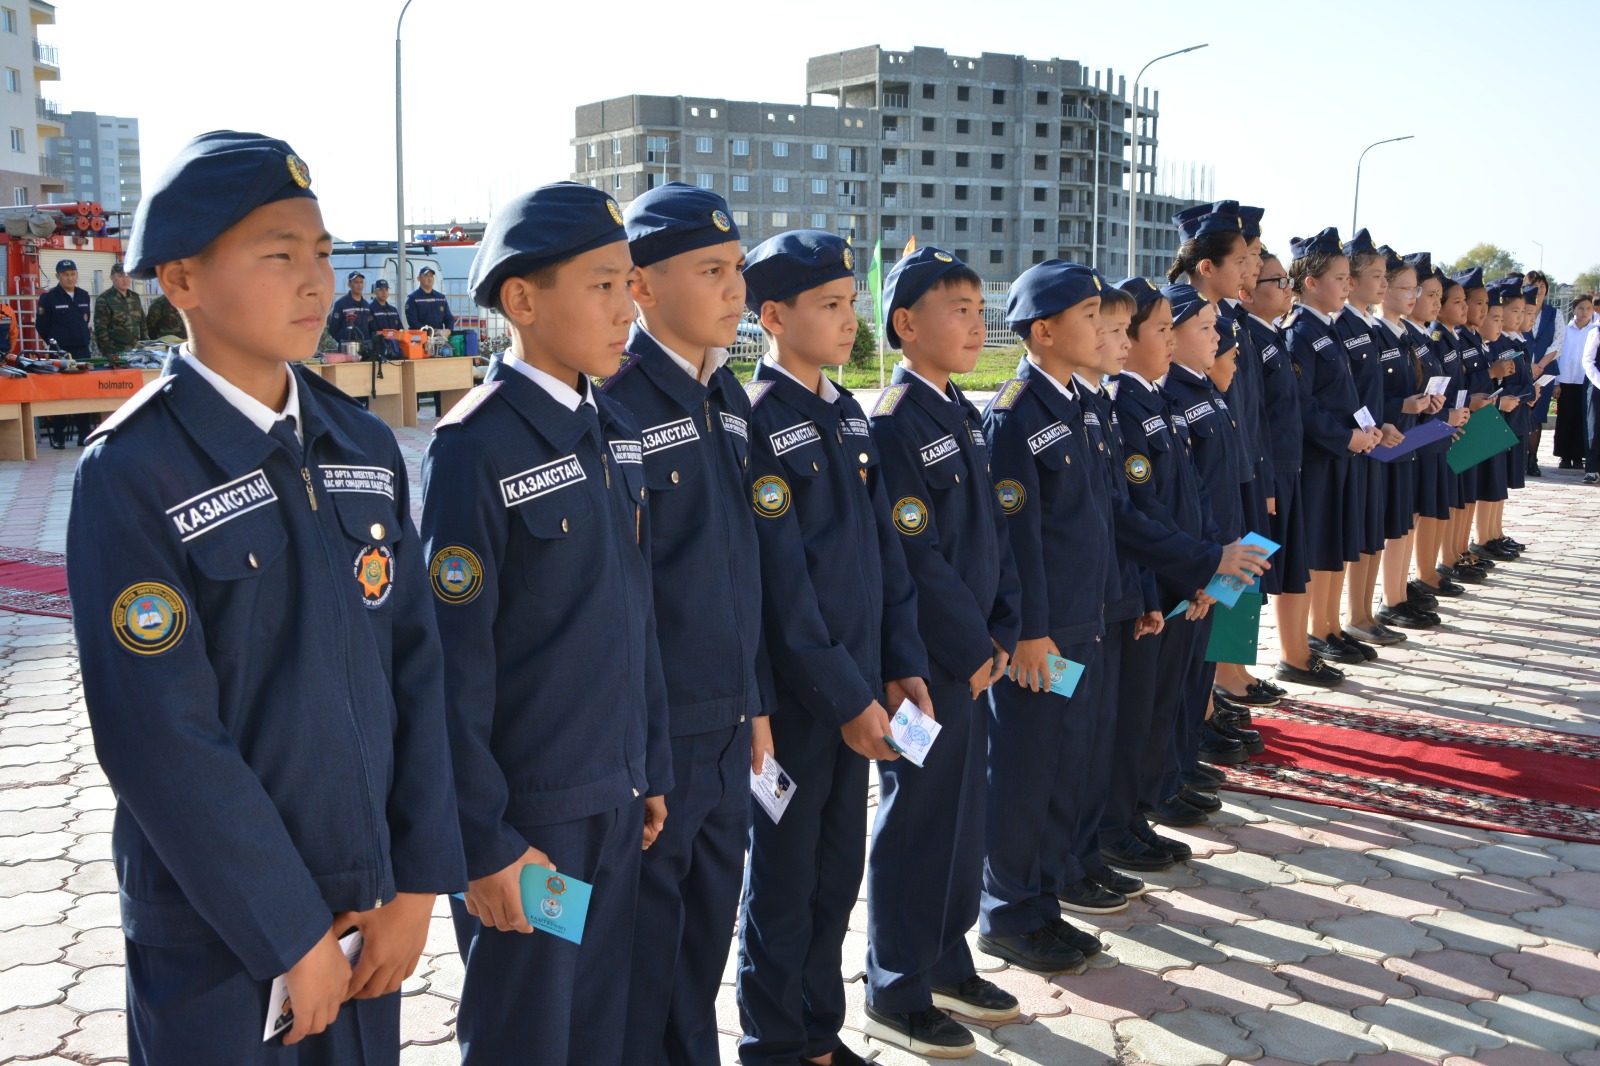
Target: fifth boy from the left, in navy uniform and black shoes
926	864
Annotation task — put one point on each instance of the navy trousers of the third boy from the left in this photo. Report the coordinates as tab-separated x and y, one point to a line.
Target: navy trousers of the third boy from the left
689	899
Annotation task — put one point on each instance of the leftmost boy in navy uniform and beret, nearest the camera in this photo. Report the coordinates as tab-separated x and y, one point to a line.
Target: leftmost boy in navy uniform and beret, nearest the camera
260	663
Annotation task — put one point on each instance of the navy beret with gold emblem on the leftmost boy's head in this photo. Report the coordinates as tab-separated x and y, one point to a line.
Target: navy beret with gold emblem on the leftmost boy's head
214	183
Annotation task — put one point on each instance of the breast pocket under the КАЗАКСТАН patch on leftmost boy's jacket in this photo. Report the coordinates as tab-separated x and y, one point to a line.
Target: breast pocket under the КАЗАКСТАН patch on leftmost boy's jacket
244	590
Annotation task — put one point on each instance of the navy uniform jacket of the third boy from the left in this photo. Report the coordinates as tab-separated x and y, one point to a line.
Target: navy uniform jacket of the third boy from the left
705	555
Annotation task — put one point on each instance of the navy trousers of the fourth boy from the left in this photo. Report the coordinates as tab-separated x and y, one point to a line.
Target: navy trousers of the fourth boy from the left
799	891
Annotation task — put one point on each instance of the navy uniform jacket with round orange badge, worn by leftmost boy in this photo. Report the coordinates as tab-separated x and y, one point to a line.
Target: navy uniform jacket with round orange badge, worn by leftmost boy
263	676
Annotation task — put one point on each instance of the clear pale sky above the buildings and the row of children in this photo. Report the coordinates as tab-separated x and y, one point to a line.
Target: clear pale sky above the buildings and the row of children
1281	105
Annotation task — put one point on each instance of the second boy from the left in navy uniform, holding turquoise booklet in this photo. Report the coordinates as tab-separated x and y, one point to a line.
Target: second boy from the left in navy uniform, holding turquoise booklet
532	491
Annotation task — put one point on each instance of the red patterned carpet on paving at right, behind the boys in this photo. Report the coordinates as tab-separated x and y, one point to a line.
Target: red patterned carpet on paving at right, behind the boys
1490	777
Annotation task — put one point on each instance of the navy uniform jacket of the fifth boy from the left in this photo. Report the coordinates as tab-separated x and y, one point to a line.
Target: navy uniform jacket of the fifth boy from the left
937	476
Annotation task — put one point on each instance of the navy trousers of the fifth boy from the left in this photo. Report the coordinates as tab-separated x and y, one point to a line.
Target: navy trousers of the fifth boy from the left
927	860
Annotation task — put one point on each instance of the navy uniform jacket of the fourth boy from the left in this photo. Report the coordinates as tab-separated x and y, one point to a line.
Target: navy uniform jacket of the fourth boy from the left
839	604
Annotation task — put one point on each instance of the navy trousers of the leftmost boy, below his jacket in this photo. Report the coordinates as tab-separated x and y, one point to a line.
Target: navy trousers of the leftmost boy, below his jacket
196	1004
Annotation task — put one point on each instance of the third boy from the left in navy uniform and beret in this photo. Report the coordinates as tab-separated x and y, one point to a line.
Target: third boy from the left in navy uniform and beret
694	423
